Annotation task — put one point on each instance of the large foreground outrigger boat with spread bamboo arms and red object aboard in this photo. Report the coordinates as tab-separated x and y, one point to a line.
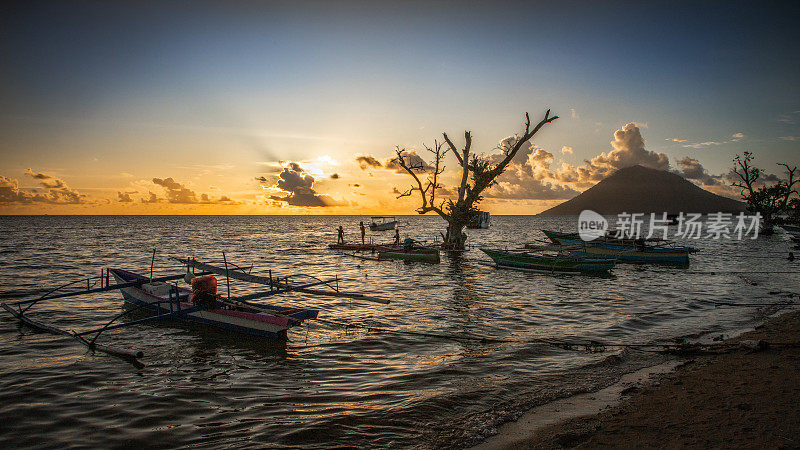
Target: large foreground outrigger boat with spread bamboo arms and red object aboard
168	301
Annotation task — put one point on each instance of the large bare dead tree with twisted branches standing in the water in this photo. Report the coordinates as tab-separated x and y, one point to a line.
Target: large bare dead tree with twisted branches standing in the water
478	173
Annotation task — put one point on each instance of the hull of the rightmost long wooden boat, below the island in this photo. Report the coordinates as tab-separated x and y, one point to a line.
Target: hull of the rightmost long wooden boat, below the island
620	252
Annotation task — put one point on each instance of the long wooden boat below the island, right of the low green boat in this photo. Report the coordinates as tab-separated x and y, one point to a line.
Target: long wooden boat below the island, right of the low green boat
623	250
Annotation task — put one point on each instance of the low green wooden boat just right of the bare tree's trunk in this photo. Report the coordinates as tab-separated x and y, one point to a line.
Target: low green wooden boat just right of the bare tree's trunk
549	263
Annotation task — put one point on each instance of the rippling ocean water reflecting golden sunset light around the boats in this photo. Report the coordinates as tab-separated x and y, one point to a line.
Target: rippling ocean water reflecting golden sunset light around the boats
331	385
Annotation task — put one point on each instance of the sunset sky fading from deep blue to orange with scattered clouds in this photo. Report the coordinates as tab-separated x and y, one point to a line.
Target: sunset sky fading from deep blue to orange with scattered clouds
296	107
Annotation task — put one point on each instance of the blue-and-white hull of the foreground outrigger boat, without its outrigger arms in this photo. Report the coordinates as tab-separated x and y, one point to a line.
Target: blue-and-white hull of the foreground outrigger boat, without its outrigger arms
251	323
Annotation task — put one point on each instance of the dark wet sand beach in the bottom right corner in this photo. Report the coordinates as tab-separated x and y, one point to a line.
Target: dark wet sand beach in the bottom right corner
745	398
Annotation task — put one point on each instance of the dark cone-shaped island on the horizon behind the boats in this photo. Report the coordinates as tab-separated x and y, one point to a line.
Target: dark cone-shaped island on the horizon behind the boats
646	190
